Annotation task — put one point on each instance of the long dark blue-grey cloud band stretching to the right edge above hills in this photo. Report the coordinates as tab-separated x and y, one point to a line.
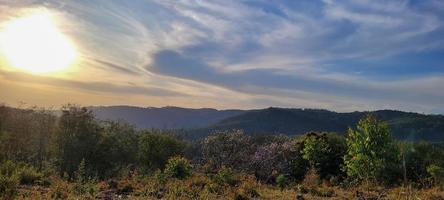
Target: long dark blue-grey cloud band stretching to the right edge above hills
174	64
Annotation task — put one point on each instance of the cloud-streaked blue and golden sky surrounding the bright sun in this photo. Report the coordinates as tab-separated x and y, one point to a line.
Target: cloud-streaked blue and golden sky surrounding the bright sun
343	55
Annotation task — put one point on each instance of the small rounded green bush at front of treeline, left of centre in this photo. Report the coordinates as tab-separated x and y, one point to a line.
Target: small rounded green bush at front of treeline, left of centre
178	167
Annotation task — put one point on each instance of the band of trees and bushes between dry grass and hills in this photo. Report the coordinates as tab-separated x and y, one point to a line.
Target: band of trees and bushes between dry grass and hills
75	145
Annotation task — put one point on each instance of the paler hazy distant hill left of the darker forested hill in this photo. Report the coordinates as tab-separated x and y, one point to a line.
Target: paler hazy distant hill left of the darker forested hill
165	117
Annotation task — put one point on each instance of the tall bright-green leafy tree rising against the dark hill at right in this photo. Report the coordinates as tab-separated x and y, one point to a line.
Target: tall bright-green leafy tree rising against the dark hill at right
372	155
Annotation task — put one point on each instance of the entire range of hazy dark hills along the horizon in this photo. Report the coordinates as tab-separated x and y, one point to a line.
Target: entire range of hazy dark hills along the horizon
197	123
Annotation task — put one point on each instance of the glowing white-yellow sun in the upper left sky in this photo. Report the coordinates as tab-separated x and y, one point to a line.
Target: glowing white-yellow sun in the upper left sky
33	43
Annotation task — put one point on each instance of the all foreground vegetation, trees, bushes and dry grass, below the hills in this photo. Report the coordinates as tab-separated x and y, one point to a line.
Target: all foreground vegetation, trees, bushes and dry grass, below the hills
73	155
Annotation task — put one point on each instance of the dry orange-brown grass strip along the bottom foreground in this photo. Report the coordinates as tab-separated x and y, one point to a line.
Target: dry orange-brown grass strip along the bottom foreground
202	186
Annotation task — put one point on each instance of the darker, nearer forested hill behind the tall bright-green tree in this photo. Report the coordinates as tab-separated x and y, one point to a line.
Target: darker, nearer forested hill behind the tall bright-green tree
404	125
